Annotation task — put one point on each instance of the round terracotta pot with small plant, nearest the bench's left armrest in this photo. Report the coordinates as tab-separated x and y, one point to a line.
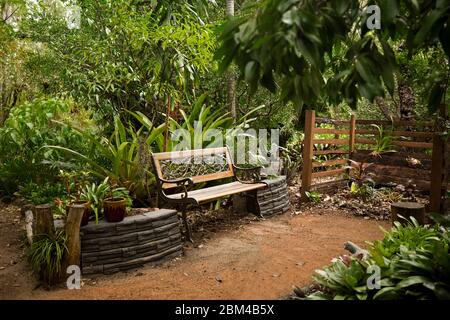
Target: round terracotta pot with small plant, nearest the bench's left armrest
115	206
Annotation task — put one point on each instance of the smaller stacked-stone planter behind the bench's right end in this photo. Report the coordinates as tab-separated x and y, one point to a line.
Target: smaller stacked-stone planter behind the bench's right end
274	199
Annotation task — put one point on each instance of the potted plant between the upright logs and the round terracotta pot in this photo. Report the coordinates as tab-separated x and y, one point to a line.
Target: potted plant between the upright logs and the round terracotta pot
71	183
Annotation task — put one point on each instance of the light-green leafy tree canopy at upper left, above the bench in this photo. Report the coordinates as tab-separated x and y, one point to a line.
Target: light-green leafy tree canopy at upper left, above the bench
123	58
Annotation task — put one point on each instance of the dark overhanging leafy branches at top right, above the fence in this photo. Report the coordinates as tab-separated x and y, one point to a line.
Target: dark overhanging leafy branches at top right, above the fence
326	54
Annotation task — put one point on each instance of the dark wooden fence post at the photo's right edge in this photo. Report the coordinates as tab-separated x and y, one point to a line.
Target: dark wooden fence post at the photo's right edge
438	183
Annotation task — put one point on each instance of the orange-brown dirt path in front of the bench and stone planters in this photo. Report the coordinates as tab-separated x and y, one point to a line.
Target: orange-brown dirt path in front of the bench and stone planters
260	260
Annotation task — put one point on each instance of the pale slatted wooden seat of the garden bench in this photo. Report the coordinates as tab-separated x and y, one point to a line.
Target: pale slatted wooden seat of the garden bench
207	194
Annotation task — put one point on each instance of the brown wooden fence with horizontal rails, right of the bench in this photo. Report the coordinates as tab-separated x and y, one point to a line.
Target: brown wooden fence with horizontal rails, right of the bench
343	148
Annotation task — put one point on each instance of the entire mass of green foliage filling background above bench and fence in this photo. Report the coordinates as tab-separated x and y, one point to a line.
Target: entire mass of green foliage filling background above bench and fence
101	96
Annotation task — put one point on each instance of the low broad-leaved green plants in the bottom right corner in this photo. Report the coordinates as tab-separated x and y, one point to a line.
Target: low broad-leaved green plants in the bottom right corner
414	261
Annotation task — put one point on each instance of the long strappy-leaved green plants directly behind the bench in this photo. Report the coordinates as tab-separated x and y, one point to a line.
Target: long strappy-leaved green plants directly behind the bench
124	156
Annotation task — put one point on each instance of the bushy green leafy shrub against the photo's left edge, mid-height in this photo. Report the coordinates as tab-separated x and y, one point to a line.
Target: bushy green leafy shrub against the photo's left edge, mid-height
28	128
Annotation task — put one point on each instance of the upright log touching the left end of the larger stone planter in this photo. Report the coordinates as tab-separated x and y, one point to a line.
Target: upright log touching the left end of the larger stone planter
72	229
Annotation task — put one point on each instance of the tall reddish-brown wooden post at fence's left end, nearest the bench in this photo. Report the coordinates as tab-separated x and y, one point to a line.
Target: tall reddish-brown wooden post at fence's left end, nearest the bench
308	153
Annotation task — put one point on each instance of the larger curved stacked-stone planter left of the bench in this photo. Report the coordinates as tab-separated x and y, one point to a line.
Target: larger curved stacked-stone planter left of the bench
152	237
